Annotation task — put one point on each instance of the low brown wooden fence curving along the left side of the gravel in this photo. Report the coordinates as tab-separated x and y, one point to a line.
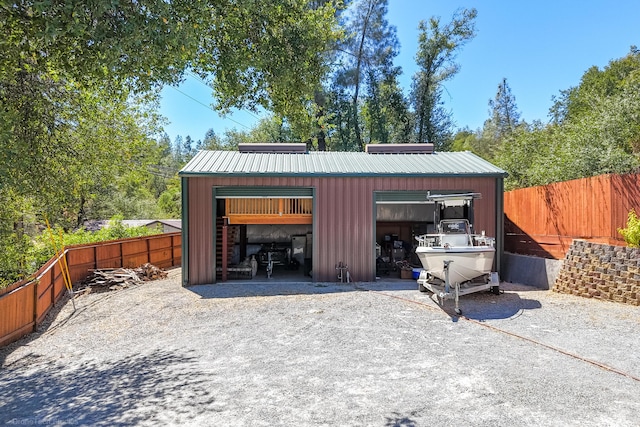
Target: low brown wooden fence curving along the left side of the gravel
24	305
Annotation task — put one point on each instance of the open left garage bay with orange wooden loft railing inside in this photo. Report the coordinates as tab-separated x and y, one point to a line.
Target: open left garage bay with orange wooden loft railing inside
265	237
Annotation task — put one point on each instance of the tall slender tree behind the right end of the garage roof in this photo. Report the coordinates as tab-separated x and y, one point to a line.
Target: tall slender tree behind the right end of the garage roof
438	45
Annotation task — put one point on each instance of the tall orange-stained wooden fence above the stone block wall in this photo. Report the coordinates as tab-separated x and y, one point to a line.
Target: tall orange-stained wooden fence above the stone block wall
543	221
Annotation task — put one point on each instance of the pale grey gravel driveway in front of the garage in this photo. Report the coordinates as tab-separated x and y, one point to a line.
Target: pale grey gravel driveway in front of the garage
368	354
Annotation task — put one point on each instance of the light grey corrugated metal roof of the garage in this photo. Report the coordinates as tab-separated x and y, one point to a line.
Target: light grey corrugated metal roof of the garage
331	163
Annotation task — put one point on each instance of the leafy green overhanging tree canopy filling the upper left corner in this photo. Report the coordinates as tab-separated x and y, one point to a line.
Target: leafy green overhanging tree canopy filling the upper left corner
253	53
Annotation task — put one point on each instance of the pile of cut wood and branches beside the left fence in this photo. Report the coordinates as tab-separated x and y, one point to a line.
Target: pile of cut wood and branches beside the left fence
120	278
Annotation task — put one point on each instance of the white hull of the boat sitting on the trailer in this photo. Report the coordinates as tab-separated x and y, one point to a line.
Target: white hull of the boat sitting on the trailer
467	263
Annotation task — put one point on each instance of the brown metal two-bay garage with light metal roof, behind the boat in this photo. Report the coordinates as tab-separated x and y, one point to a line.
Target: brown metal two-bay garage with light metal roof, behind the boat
308	212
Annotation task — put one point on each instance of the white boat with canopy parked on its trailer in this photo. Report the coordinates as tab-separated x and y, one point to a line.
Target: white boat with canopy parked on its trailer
455	260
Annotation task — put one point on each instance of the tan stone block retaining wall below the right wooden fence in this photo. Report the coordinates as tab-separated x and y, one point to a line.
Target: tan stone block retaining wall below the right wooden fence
596	270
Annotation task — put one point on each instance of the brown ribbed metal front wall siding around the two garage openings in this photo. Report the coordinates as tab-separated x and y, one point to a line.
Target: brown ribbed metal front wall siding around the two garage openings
343	220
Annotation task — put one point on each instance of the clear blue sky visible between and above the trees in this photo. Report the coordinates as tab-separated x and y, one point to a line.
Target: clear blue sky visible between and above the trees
541	47
